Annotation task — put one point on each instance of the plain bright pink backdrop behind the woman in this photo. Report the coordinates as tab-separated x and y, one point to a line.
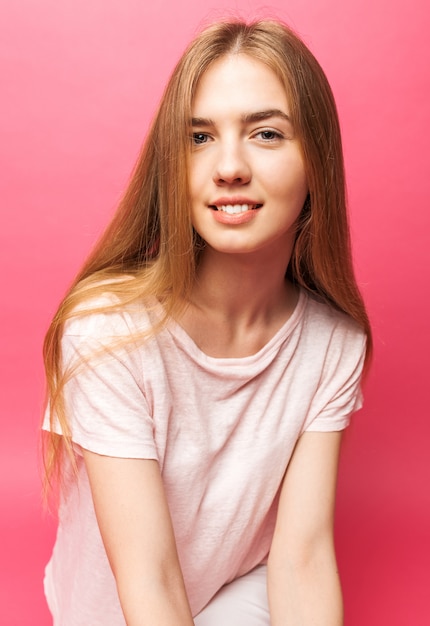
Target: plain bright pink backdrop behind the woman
80	81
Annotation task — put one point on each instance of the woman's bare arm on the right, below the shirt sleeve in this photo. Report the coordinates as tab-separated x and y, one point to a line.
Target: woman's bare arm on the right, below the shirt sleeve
303	581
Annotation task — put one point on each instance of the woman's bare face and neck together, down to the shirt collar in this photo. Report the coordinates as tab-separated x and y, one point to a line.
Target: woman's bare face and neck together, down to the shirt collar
245	153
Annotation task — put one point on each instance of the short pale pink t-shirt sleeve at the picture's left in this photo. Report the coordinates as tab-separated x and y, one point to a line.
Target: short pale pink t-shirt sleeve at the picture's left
104	397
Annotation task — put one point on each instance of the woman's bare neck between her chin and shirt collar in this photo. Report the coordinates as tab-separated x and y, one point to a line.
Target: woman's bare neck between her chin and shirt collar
237	305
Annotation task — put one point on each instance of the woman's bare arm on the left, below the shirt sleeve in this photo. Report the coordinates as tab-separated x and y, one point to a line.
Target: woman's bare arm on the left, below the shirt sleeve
136	528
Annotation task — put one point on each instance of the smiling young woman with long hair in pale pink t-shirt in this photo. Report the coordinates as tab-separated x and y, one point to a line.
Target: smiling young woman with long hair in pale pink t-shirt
203	365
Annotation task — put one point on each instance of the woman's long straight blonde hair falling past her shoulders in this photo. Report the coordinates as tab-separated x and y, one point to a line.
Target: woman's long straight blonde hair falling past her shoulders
151	238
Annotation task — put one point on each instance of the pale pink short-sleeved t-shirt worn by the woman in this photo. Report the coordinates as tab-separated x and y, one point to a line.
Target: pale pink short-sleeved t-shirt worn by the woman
222	429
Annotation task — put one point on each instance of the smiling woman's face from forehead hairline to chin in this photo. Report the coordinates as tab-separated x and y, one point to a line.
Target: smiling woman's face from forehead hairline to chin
247	177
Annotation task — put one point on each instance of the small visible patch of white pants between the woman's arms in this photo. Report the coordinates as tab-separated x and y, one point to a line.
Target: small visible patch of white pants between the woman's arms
240	603
